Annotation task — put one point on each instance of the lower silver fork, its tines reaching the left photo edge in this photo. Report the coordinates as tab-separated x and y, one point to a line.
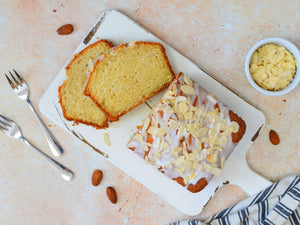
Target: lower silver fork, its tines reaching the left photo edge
10	128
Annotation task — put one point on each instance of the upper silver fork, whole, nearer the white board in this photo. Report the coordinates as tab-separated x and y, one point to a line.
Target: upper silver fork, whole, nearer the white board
22	91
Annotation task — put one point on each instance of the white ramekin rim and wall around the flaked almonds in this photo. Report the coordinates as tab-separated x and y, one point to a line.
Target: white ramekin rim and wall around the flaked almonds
282	42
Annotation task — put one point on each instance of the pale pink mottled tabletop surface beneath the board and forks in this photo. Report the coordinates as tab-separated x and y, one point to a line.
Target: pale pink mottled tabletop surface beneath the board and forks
216	36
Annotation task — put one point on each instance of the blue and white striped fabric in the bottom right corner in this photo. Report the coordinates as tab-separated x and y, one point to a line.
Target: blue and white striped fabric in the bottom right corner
278	204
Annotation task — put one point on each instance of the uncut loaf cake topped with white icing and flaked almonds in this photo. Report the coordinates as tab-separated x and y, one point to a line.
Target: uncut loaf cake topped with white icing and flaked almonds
188	135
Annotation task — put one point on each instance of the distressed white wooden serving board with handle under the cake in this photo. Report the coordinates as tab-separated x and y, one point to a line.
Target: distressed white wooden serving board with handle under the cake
118	28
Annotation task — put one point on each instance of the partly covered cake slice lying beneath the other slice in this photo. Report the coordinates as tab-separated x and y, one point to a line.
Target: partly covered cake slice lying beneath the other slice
75	105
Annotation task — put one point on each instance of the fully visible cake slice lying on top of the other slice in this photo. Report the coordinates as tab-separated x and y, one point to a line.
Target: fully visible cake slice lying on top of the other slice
128	76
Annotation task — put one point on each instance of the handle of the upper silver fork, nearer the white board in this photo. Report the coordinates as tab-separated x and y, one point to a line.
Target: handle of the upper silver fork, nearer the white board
55	147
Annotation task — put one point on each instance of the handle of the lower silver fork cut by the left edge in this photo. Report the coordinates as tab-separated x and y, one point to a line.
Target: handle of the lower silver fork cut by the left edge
66	173
